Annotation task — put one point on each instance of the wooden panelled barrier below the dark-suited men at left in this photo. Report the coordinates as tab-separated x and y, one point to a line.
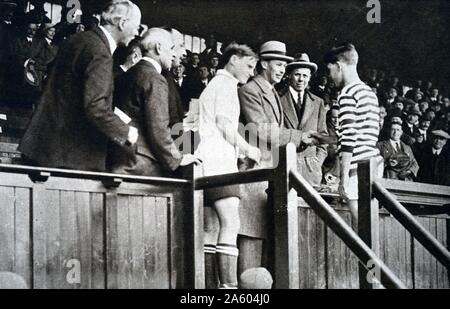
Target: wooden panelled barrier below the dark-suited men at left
77	229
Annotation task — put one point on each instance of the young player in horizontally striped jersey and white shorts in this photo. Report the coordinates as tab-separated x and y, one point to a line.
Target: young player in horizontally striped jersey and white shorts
358	121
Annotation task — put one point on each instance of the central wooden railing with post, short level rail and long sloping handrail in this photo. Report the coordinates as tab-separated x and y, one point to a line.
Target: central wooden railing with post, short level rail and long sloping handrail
285	184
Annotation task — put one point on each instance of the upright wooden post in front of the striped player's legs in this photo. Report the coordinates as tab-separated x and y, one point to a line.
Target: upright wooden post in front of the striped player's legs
368	220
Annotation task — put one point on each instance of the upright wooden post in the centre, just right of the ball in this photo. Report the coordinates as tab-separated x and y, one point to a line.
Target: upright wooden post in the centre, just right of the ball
285	208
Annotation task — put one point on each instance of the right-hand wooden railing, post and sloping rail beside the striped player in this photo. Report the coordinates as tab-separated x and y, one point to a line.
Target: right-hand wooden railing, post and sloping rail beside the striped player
417	199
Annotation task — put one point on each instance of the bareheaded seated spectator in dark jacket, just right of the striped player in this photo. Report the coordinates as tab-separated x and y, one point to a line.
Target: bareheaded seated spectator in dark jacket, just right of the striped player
399	161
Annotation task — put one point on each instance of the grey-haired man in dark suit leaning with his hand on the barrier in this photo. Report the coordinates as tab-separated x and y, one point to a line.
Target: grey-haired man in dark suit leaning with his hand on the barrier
144	96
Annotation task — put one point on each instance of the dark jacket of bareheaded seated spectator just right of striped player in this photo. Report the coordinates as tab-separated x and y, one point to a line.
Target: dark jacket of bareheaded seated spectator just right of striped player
386	151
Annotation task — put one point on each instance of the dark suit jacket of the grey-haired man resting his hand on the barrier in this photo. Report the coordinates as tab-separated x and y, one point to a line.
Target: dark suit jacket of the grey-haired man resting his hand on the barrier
144	97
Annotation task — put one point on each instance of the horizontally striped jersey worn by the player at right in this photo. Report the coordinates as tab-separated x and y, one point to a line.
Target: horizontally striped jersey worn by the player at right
358	123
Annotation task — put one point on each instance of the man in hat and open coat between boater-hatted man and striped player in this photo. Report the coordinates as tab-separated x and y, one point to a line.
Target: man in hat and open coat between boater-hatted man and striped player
305	111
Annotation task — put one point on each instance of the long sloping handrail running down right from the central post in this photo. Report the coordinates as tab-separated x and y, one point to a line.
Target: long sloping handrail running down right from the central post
332	219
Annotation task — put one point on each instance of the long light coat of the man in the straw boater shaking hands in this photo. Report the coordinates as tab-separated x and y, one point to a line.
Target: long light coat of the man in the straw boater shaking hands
261	108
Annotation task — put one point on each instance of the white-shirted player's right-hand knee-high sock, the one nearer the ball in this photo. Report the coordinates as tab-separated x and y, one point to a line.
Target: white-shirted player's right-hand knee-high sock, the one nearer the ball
227	256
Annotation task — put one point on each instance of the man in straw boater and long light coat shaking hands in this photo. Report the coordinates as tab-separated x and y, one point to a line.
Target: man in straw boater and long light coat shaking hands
263	117
